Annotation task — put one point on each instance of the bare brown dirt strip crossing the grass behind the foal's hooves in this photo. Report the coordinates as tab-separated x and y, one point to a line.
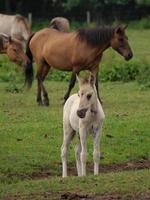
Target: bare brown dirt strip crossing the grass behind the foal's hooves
45	173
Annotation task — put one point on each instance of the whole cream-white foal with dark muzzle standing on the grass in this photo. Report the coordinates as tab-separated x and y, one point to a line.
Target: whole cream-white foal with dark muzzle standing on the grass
83	114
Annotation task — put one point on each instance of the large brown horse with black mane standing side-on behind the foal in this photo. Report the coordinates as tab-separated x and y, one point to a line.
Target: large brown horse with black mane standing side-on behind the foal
75	51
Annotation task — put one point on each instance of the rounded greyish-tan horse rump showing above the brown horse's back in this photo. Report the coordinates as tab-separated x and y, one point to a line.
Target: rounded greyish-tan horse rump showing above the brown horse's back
60	24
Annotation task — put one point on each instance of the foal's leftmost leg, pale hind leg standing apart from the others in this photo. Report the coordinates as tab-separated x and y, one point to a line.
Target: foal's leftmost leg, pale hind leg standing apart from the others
68	136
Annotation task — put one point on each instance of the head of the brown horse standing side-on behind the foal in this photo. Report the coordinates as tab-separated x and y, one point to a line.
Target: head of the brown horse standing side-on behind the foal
119	42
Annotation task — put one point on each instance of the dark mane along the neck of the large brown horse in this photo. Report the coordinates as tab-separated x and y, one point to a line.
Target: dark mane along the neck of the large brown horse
95	36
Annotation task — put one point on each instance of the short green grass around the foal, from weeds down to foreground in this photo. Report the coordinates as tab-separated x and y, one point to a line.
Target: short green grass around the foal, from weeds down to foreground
31	137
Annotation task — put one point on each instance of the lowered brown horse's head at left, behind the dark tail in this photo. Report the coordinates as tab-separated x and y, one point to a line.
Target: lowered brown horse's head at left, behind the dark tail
16	53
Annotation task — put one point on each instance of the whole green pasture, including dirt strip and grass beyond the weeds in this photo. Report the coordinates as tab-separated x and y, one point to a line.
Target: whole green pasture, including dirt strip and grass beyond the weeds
31	137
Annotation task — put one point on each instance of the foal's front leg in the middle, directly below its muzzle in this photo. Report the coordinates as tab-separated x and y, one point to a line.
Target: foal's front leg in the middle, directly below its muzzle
83	155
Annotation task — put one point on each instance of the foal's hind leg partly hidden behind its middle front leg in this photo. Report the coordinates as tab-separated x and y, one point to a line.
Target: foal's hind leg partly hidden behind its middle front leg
78	159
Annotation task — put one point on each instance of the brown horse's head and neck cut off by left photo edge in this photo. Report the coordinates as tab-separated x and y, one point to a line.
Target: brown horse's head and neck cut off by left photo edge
14	50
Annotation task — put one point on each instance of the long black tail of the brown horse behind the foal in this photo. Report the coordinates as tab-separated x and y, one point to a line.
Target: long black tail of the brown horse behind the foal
28	69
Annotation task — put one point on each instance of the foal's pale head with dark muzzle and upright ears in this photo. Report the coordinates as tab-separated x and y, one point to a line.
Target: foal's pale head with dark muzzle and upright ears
88	96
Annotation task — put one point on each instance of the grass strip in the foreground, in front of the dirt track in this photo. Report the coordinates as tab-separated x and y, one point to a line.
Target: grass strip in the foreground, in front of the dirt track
123	183
